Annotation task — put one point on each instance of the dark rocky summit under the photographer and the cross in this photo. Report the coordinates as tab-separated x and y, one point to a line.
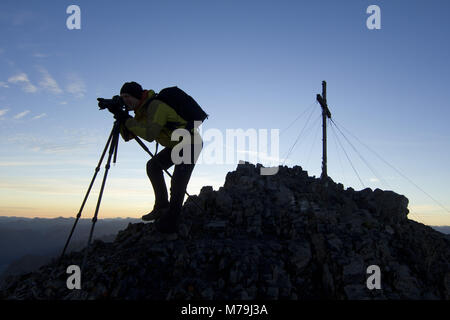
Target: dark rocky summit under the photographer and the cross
267	237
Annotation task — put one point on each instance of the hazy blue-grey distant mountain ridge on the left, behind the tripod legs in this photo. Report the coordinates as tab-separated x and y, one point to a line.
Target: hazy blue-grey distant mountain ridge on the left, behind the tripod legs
27	243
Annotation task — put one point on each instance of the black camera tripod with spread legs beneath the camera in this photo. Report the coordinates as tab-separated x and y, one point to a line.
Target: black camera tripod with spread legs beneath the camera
112	144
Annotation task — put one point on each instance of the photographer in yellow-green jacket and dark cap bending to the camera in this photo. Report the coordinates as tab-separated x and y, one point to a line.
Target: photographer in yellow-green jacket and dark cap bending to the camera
156	121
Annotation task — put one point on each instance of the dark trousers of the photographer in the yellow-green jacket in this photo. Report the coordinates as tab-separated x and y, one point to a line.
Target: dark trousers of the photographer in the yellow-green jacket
180	177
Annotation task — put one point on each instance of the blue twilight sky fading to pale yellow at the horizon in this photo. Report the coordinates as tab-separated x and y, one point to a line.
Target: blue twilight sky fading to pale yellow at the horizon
251	65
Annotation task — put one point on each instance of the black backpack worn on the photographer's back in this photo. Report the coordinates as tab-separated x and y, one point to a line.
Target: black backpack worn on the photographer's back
183	104
